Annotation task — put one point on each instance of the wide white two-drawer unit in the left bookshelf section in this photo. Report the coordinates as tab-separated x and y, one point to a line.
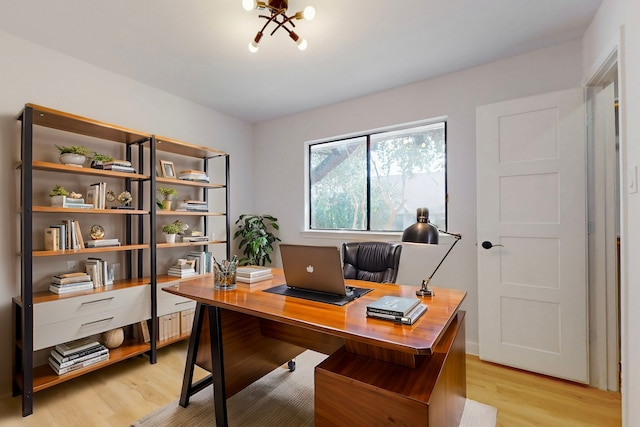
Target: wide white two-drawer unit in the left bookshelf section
72	318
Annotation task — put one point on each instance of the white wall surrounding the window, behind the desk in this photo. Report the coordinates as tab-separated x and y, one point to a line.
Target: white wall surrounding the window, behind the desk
279	145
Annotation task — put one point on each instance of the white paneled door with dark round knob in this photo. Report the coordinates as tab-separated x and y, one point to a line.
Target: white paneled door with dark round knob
531	178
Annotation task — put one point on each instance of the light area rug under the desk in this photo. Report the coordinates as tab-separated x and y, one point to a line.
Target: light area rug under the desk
281	398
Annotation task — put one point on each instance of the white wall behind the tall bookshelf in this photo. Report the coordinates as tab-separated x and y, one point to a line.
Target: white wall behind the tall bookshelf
31	73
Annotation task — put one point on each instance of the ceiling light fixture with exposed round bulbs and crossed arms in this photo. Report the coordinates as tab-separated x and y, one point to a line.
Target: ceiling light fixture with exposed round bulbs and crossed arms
278	10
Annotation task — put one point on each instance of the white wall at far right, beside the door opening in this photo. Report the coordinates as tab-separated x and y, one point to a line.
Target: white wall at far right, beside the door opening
617	24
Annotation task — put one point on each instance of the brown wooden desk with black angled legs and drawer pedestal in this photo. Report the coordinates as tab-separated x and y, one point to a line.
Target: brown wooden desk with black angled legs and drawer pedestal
378	372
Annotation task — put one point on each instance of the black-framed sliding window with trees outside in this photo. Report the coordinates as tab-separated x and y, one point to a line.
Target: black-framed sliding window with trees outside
376	182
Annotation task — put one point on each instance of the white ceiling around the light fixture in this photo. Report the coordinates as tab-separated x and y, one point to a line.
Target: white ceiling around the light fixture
197	49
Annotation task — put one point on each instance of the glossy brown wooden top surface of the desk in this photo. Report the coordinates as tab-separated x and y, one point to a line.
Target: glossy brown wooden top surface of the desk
349	321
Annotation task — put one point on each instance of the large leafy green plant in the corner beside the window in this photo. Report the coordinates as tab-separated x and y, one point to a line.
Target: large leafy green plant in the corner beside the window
256	239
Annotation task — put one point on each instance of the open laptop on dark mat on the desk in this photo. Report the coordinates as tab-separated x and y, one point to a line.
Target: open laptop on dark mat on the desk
315	273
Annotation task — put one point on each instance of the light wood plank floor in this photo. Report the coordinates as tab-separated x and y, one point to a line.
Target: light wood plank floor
122	393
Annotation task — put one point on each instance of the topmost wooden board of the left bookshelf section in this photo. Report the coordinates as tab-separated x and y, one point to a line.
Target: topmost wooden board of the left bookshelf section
48	117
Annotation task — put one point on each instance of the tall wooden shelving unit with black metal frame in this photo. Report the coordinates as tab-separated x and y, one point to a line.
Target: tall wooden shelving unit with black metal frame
139	246
